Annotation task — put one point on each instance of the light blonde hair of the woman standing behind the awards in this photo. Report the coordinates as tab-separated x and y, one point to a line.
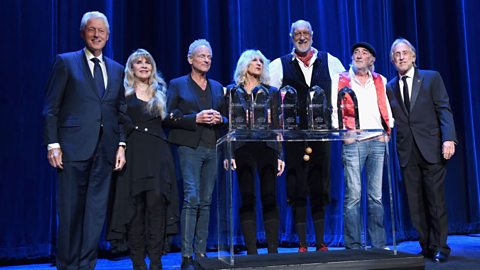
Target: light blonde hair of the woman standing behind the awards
245	59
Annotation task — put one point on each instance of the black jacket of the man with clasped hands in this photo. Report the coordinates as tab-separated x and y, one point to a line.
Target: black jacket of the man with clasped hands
182	100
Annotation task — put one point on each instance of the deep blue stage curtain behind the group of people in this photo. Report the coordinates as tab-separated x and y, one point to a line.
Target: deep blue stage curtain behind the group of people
444	32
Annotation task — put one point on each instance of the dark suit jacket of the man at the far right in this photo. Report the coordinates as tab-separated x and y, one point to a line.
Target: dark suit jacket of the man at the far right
429	122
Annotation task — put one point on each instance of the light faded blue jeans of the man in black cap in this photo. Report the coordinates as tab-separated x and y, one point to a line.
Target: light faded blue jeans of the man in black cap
368	154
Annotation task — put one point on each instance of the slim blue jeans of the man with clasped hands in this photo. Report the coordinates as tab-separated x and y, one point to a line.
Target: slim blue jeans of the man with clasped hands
198	166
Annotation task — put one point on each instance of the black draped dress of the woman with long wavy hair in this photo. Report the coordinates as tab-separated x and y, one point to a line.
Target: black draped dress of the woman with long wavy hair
149	166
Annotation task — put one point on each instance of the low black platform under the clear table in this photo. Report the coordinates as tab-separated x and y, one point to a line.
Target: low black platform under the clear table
335	259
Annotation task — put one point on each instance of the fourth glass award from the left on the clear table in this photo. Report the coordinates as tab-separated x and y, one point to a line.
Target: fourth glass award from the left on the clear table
317	116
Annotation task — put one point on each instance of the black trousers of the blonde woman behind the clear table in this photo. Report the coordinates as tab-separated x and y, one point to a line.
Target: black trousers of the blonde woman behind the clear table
251	158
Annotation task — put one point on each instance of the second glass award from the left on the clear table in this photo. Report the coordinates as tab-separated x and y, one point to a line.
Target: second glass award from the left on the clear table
260	117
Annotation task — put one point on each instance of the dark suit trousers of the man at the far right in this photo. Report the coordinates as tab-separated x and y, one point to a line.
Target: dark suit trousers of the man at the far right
425	188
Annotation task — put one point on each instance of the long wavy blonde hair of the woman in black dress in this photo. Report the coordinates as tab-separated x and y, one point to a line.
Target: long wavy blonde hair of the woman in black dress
156	84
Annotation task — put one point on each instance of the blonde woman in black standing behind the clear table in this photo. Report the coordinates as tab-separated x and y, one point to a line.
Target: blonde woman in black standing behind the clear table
264	158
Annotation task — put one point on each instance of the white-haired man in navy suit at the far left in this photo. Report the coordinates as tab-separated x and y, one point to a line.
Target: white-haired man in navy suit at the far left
84	102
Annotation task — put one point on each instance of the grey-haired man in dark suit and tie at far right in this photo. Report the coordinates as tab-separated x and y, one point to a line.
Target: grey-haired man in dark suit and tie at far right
425	141
